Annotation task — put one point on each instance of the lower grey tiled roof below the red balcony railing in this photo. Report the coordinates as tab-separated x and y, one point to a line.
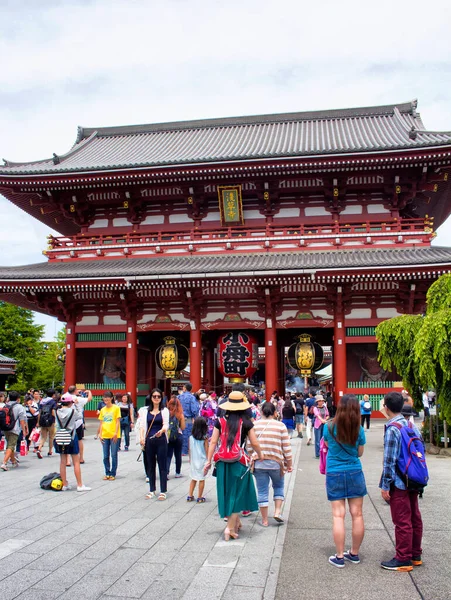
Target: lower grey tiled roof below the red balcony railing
228	264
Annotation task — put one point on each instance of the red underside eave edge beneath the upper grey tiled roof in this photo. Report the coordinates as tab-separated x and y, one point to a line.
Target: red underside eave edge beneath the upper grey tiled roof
398	157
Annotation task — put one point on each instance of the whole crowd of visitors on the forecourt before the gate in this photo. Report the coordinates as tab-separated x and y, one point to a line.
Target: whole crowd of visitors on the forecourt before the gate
243	438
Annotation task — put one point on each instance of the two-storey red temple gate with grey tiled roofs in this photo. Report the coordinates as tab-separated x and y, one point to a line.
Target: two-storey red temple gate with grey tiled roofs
314	223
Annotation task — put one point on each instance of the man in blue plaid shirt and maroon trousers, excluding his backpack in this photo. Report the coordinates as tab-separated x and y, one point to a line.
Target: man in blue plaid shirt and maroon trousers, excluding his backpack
404	508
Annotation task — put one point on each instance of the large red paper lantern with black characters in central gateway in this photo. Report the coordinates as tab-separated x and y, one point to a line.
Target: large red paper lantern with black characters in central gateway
237	356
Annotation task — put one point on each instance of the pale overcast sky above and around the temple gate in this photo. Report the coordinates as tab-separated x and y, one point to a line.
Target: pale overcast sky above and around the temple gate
112	62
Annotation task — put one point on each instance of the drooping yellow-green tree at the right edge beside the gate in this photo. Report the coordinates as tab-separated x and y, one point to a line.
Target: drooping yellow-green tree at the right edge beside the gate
419	346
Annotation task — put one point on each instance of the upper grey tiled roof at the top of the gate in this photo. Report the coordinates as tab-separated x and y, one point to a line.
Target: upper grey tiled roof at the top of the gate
332	132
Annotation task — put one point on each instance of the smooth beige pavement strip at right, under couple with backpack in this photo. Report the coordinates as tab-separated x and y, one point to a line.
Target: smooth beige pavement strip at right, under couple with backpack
305	570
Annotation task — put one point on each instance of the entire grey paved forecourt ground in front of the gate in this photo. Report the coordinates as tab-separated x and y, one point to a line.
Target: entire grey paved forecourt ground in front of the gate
113	543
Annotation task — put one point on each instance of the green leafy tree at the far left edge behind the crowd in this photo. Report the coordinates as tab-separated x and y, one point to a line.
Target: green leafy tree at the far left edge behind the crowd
20	338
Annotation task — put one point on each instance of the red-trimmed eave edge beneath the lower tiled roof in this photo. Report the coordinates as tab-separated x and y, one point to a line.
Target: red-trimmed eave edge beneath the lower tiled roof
333	274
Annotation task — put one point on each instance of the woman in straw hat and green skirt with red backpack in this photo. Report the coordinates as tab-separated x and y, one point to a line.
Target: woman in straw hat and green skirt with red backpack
234	483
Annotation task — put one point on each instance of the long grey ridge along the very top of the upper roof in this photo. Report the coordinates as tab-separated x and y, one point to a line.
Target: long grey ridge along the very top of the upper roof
405	107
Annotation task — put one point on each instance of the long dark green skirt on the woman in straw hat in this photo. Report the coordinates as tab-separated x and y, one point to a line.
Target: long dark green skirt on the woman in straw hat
235	489
